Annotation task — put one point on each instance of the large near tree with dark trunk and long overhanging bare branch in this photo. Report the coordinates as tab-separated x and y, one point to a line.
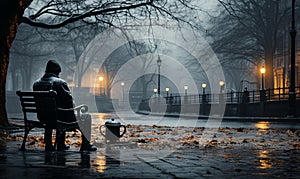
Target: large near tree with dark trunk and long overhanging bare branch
52	14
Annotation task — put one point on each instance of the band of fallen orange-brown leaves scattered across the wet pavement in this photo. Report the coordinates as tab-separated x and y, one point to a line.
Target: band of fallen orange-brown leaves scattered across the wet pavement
173	137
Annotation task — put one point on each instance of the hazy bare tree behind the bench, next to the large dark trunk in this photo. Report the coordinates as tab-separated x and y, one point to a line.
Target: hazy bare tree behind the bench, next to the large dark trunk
28	49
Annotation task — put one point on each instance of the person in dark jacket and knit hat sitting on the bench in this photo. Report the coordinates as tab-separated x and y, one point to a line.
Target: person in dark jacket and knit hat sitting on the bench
51	81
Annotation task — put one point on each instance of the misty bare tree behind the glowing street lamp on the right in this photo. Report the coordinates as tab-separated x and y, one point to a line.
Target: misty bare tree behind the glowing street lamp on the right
252	31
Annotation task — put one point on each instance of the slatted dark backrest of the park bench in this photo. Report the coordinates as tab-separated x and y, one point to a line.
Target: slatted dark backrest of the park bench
41	102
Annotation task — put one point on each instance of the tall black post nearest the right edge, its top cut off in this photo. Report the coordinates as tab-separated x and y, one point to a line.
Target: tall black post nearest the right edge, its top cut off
292	96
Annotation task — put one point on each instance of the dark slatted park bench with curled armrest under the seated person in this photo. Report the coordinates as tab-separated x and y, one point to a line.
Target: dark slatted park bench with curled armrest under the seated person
44	105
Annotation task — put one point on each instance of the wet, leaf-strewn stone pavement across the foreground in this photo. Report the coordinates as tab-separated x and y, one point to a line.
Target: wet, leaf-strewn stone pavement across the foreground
153	151
